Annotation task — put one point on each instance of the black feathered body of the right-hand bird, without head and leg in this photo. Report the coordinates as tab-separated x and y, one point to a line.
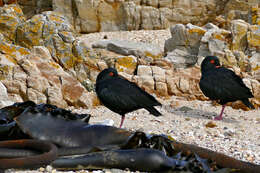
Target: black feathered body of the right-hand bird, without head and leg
224	84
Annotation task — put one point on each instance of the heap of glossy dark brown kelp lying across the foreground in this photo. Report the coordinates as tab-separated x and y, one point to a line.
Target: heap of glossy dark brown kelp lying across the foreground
99	146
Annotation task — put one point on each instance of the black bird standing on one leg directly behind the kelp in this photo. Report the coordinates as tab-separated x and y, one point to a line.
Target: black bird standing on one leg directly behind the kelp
122	96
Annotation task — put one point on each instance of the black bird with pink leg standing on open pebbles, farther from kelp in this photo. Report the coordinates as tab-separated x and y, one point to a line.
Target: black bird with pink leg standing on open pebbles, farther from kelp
222	84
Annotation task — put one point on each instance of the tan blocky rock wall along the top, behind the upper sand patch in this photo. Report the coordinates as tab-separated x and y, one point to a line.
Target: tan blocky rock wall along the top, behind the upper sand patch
94	16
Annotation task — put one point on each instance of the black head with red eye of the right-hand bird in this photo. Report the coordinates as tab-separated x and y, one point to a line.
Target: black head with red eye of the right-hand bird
209	63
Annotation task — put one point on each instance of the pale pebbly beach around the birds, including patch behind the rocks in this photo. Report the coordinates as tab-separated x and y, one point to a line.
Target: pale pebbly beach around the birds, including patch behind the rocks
237	135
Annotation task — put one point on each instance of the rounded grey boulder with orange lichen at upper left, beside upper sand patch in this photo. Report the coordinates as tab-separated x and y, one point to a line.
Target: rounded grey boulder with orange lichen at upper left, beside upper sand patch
51	30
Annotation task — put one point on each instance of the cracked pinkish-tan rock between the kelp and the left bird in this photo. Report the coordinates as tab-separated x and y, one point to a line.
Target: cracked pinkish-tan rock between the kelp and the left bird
45	76
